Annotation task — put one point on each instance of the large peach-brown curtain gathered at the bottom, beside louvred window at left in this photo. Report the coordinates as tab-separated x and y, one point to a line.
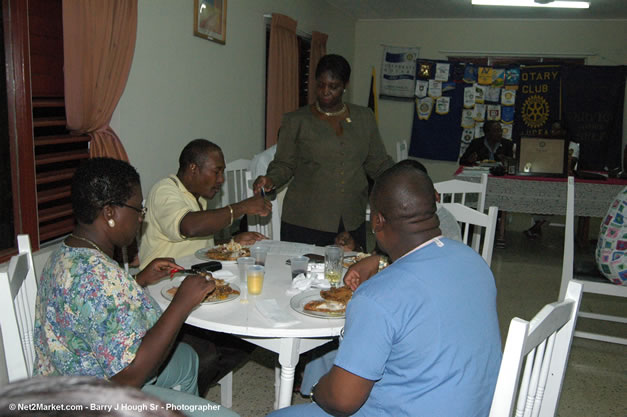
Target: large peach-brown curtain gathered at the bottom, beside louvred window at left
99	42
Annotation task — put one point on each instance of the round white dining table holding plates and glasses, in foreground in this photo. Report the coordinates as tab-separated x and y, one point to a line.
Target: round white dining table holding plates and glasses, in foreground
245	321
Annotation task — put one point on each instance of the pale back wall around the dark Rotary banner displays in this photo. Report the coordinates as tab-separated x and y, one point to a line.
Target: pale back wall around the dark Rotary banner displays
605	39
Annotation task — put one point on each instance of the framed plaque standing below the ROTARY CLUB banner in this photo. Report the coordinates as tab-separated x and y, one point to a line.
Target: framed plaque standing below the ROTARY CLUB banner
544	157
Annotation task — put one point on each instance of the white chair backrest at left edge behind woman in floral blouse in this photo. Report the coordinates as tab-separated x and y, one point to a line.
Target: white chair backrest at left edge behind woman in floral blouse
18	293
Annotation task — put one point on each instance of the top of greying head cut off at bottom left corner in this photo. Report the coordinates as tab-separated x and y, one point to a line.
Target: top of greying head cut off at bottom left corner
80	396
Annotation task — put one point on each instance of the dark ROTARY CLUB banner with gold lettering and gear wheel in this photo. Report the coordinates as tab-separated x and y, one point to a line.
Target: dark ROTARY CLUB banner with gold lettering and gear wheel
538	100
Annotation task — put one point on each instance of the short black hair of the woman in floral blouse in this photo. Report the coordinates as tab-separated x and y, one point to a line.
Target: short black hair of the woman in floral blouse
98	182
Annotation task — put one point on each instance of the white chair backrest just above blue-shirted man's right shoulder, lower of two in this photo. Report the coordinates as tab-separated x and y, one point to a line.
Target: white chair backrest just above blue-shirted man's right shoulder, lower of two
483	225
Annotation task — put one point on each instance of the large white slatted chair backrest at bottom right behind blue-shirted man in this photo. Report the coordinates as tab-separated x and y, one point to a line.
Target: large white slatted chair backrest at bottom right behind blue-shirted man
544	345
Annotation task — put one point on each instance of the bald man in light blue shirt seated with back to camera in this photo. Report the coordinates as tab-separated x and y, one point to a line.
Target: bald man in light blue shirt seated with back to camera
422	336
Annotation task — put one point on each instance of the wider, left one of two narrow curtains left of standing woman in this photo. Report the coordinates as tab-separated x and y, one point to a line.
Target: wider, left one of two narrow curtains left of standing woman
282	81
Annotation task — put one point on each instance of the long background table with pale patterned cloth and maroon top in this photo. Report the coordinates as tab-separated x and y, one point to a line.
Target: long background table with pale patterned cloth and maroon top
547	195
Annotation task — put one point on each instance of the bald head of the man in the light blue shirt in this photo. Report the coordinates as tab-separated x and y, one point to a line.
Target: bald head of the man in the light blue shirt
404	195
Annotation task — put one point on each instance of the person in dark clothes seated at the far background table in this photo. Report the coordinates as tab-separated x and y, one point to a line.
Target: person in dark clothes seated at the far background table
491	147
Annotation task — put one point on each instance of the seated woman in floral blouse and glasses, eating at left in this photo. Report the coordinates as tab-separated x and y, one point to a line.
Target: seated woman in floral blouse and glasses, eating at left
93	319
